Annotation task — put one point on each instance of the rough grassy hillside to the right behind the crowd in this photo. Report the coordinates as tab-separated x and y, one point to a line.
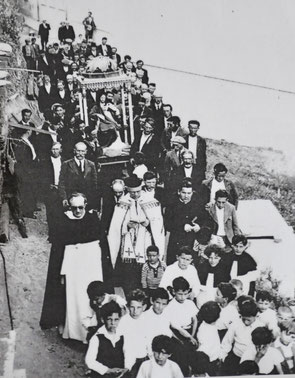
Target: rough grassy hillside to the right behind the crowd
258	173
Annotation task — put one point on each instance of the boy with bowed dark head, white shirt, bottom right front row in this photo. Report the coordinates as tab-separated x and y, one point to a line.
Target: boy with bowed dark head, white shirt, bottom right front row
268	358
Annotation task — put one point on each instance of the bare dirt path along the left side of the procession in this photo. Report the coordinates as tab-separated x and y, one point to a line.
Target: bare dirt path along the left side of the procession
41	353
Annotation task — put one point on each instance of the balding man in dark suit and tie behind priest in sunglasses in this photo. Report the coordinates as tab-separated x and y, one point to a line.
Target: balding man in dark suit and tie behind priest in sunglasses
79	175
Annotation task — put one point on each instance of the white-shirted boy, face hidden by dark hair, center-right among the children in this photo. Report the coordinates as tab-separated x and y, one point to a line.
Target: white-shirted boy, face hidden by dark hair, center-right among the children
207	335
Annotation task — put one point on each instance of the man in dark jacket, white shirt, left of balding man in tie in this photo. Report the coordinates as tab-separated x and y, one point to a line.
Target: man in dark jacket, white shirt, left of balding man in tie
51	167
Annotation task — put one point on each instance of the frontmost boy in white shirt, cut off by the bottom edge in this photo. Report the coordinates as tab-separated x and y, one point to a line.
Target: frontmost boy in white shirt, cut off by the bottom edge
160	366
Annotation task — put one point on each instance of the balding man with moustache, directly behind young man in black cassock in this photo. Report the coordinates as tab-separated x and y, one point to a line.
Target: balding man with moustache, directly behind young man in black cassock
187	170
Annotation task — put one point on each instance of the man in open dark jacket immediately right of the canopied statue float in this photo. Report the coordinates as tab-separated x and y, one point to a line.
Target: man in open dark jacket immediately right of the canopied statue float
148	143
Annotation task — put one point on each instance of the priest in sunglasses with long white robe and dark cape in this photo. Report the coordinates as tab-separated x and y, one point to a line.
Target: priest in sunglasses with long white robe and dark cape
82	263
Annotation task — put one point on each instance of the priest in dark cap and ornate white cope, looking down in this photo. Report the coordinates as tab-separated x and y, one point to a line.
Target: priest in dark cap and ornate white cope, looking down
139	222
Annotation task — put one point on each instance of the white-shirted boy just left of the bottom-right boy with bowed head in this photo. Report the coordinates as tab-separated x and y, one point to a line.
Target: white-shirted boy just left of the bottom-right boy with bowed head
238	337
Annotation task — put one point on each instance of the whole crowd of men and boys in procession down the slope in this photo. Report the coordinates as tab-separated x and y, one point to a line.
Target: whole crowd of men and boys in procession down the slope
163	230
